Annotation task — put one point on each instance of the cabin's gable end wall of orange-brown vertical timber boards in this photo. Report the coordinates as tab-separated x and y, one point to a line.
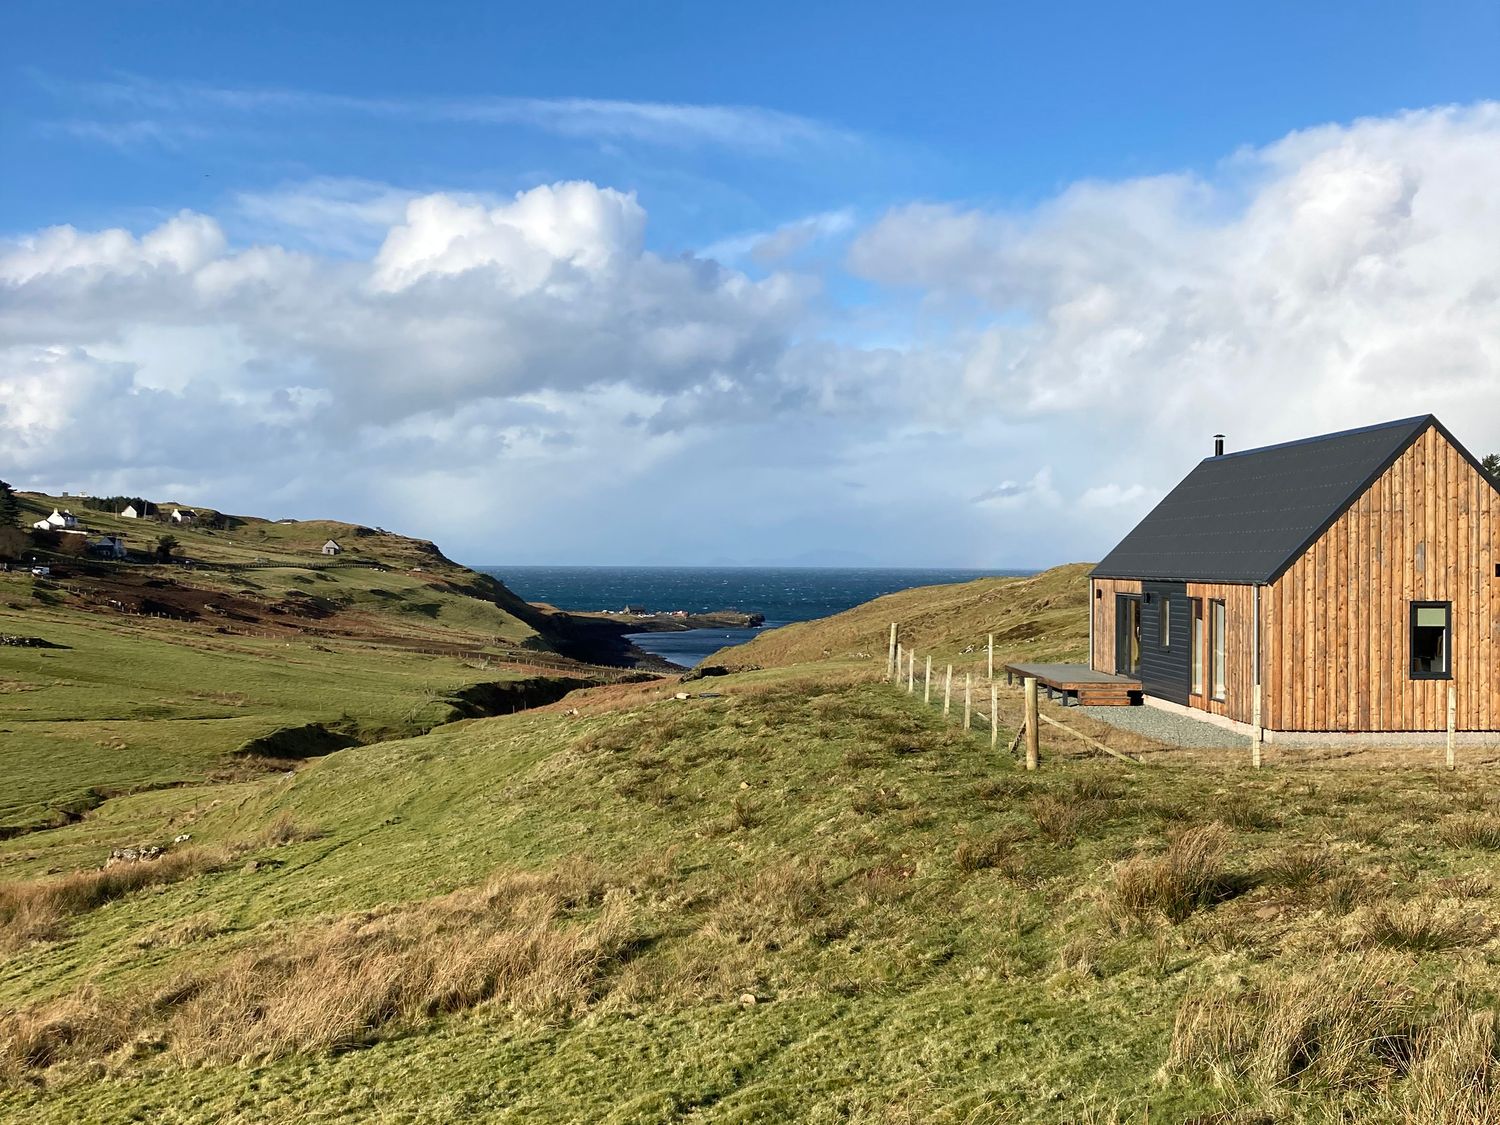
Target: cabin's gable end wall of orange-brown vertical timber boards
1336	641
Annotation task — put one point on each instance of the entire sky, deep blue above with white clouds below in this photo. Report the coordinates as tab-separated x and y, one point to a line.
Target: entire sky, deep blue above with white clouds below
872	277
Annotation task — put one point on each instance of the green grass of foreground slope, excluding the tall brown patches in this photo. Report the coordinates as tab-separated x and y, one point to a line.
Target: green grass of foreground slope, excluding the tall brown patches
806	841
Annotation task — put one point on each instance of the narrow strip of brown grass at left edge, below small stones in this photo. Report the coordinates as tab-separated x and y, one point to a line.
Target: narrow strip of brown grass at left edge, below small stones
37	910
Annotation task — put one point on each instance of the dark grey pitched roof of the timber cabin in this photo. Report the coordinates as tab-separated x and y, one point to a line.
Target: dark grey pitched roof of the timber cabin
1247	517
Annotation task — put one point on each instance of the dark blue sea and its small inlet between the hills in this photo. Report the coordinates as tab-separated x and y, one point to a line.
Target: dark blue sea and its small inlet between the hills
782	595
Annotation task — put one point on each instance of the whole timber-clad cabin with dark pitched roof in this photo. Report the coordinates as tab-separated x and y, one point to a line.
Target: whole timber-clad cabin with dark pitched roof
1348	580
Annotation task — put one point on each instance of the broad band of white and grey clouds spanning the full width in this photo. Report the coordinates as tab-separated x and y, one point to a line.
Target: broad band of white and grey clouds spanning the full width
994	386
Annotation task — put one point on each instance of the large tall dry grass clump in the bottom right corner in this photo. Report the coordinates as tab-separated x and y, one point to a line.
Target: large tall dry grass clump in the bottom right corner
1358	1031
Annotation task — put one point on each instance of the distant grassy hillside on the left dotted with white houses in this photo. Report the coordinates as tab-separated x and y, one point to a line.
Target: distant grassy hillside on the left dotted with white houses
248	650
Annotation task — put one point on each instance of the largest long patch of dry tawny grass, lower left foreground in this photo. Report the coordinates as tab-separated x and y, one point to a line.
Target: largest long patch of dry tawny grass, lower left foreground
535	944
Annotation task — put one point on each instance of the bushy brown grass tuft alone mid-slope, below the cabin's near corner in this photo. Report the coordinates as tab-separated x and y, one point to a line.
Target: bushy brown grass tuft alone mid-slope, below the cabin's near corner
1186	878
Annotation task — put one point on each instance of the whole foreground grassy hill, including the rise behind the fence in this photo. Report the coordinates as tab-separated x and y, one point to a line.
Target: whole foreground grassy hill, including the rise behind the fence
796	895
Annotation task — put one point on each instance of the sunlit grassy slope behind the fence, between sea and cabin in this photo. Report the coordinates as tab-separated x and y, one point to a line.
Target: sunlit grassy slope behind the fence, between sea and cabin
1043	617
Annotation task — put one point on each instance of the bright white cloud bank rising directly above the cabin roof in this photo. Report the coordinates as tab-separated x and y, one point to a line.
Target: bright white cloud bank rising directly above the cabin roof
1334	278
